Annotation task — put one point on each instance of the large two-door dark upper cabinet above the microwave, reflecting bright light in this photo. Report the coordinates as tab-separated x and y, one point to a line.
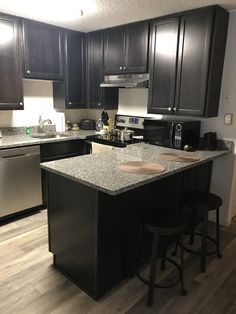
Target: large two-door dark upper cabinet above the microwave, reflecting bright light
195	71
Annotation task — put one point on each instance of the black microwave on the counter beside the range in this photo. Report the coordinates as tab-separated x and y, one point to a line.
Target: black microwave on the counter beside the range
172	133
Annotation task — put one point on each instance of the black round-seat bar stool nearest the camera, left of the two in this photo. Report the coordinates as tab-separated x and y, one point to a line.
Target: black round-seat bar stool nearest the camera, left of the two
166	226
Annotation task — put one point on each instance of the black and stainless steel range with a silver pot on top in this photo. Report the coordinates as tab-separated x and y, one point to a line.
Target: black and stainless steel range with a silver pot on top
127	130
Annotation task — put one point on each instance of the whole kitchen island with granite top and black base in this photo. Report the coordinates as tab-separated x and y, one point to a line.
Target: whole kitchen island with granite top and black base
94	209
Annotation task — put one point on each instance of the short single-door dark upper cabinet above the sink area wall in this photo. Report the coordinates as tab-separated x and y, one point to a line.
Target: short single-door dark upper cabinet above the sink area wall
43	58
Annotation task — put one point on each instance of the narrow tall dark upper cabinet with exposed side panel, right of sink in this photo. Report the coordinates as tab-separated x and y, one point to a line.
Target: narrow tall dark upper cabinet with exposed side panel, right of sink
70	93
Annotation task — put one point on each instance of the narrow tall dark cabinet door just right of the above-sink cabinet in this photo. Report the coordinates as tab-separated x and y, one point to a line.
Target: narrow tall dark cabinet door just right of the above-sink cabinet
75	70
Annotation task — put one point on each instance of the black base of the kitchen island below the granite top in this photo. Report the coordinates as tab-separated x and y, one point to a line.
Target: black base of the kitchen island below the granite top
93	234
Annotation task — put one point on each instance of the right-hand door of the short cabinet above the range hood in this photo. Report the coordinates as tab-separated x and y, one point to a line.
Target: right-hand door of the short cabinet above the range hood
136	48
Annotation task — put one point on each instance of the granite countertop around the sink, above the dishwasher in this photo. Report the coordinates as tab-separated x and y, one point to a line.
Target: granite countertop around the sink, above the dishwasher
18	140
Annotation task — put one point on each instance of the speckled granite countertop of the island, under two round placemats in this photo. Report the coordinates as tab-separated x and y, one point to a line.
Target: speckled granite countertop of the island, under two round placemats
100	171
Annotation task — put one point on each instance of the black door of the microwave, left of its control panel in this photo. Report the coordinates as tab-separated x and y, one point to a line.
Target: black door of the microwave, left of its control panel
159	132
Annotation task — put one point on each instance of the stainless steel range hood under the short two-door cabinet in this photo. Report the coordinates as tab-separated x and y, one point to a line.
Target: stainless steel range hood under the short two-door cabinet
126	80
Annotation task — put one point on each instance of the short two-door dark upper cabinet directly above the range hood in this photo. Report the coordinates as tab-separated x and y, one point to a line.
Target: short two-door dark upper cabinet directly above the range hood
126	49
